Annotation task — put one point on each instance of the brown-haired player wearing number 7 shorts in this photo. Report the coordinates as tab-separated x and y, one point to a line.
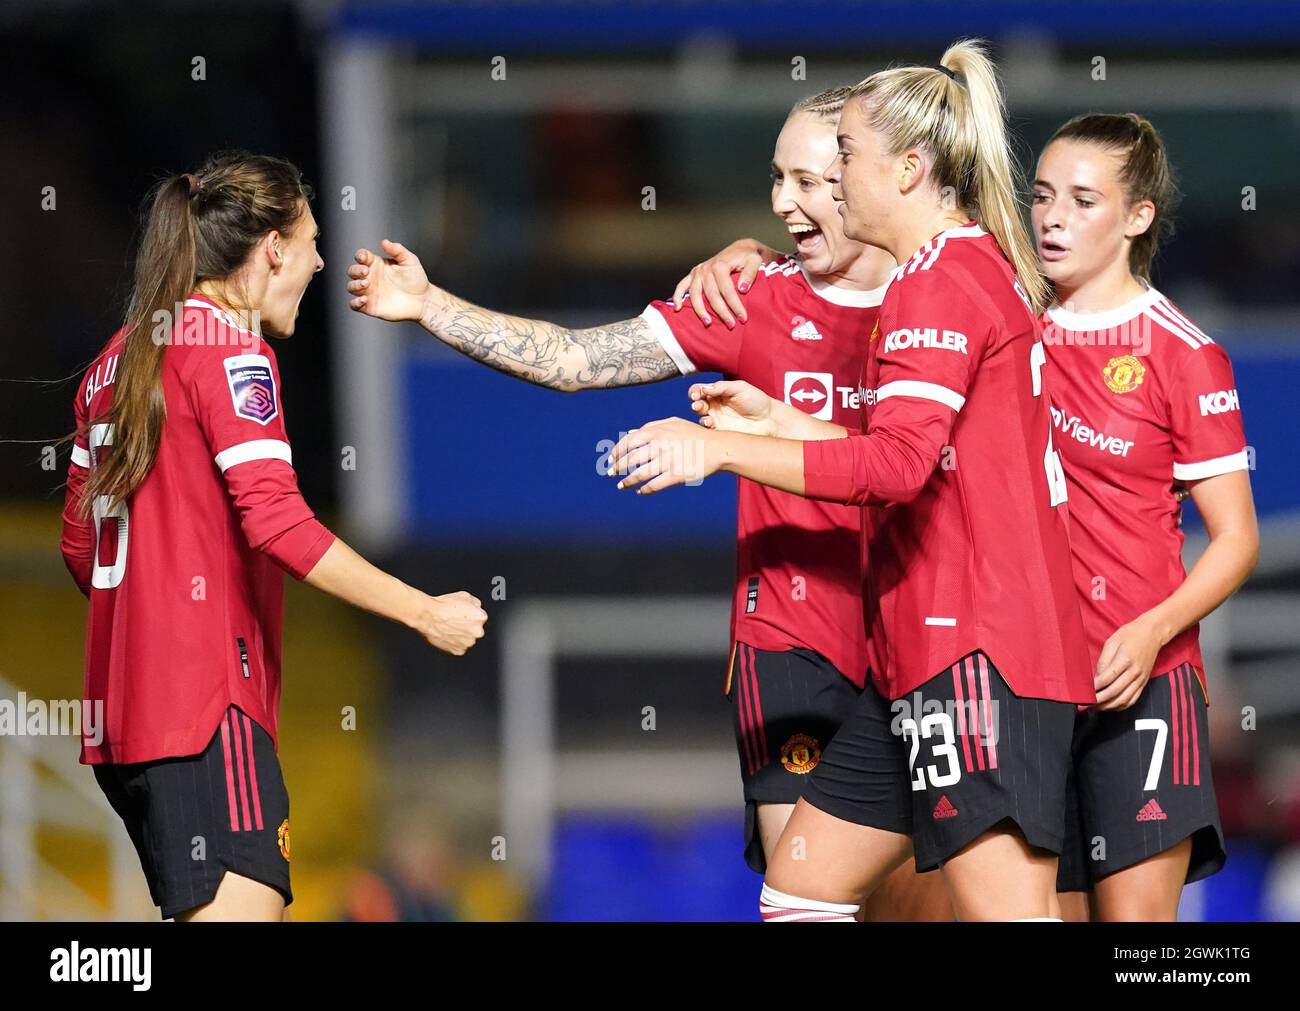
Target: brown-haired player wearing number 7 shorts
1141	396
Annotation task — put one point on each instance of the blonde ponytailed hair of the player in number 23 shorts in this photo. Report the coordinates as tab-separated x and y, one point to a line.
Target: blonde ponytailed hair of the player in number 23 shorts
960	118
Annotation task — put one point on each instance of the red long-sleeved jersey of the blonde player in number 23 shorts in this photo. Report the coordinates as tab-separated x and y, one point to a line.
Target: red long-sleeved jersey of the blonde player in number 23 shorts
969	549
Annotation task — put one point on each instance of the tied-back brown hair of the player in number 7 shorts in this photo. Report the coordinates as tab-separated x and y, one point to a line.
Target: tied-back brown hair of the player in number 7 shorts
1145	173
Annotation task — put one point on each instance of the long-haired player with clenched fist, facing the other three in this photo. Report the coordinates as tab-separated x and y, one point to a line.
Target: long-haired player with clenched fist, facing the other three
183	513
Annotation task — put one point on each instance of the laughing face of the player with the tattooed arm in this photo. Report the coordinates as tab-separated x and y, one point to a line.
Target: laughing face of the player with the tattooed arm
803	198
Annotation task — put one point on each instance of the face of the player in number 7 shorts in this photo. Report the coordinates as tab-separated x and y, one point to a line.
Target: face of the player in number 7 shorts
1084	222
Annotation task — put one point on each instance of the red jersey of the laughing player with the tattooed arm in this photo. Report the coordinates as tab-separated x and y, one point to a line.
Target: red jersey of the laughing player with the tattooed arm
799	563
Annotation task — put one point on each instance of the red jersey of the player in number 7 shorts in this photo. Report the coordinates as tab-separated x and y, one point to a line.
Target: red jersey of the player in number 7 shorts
1141	397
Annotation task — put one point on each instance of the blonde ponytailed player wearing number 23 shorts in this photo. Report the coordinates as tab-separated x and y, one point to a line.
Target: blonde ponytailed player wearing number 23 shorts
977	630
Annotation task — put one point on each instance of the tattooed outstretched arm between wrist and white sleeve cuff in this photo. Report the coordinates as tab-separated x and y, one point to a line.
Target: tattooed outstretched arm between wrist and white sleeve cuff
622	354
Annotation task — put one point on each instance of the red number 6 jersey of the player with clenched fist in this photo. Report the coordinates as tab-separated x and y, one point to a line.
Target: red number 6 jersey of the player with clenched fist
187	578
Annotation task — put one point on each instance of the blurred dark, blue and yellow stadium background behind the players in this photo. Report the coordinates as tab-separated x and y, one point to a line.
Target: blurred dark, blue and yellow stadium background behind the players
522	782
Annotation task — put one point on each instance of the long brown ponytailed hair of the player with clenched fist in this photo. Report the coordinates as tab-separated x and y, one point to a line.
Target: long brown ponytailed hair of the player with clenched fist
198	227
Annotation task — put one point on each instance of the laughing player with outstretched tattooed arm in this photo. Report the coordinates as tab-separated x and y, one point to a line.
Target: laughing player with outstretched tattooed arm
800	650
